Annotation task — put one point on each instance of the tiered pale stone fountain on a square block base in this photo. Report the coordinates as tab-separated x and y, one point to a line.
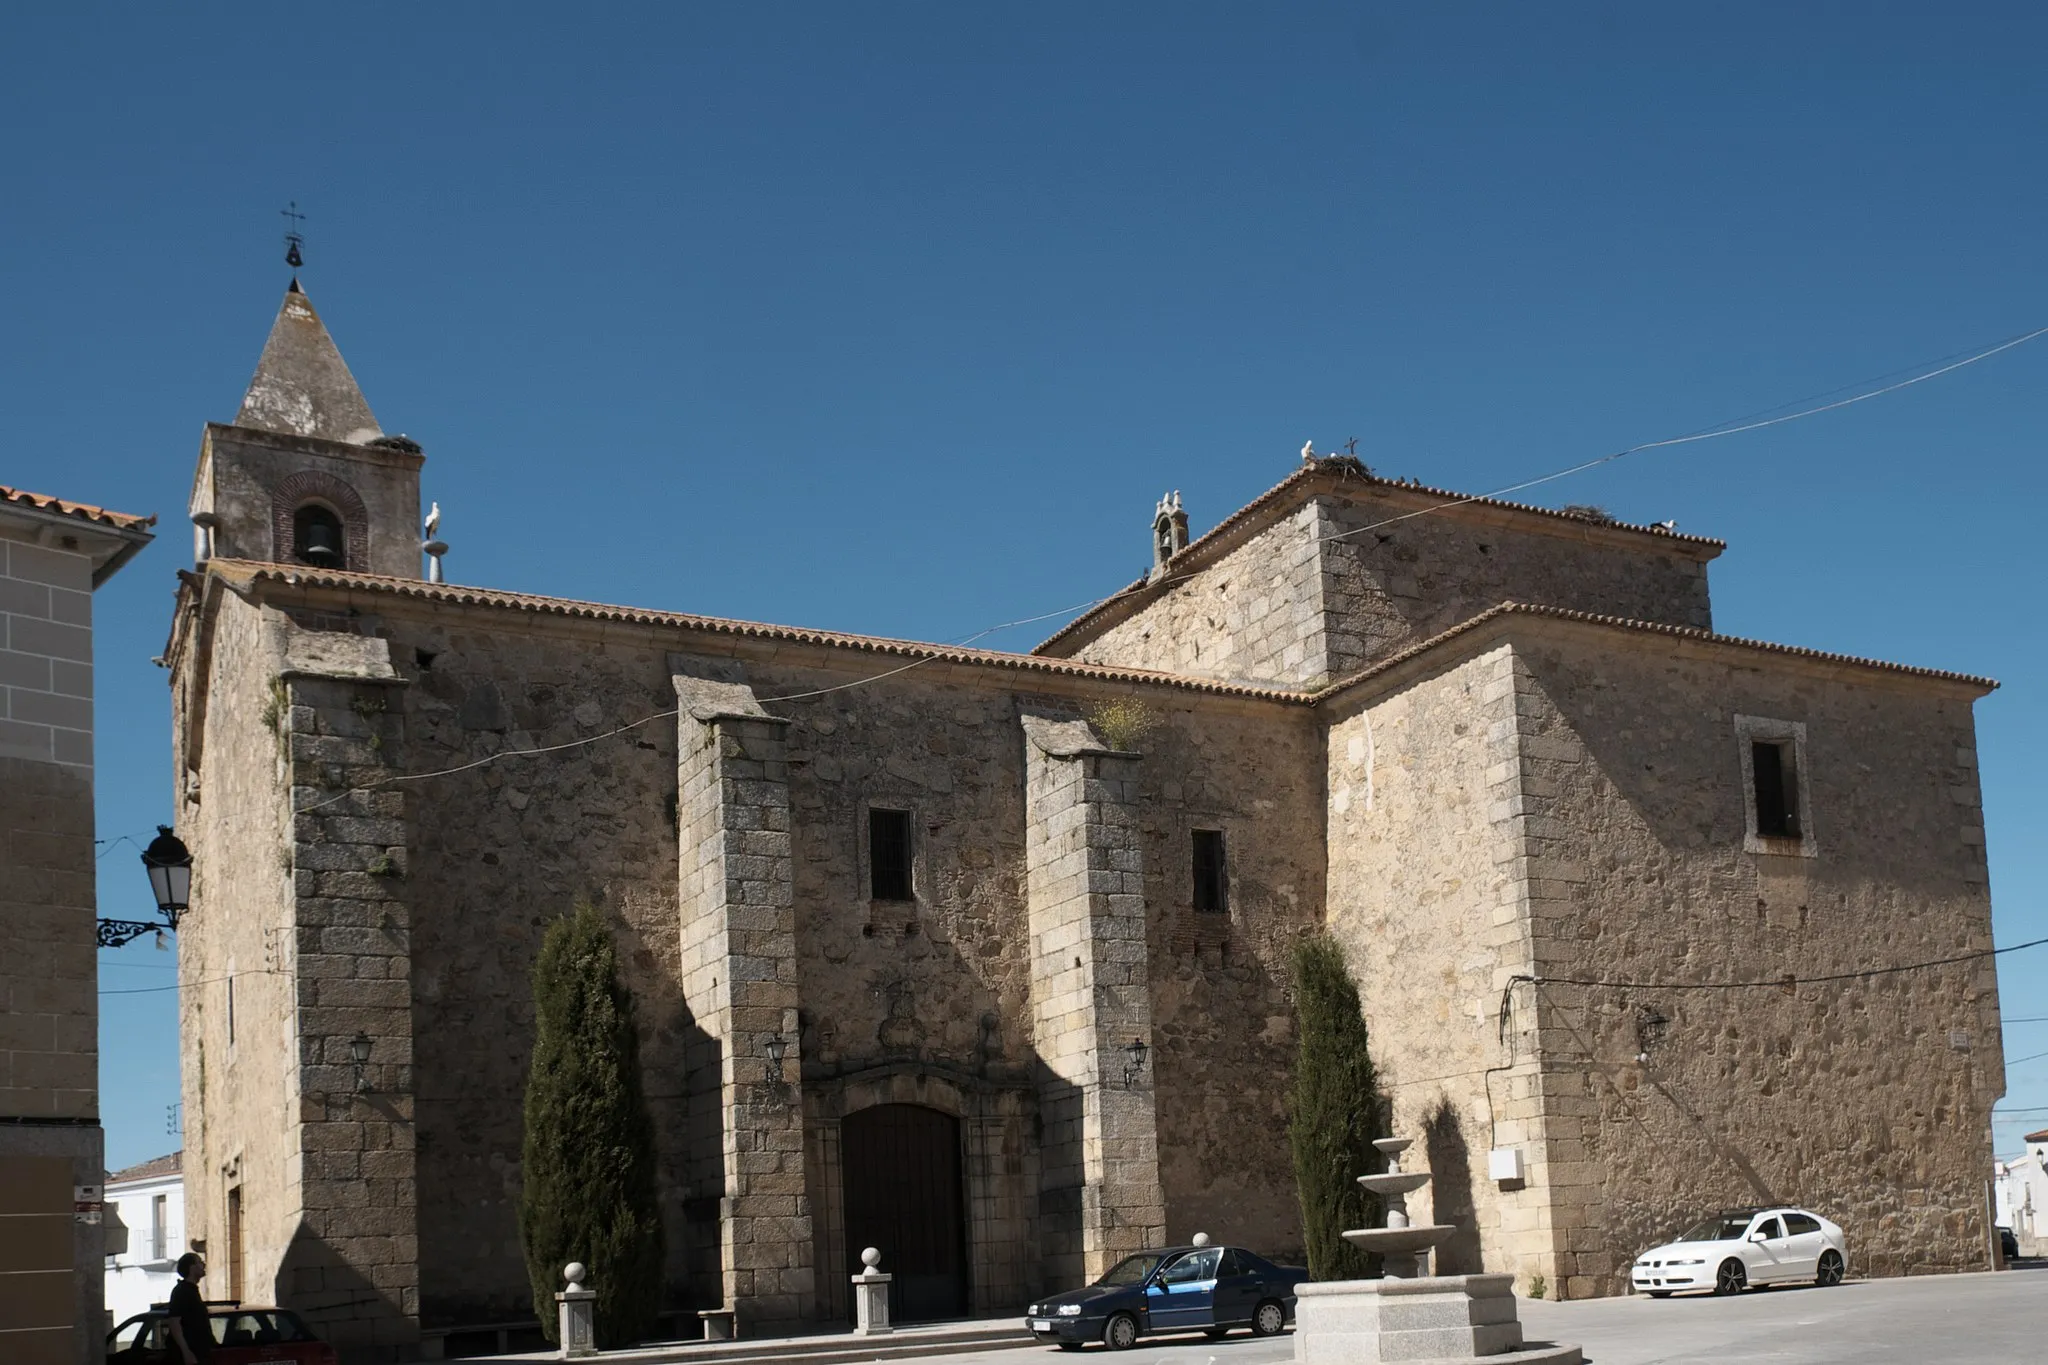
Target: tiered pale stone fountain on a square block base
1412	1315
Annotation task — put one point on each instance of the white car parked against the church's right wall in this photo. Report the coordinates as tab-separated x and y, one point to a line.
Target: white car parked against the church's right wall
1744	1247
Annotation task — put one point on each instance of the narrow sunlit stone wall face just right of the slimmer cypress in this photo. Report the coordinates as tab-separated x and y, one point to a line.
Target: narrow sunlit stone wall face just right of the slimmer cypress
1426	901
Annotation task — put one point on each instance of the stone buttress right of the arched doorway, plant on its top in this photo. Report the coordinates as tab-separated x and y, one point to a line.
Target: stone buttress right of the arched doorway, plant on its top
1099	1192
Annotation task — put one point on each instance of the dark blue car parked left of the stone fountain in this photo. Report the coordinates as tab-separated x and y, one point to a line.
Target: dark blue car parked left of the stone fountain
1172	1290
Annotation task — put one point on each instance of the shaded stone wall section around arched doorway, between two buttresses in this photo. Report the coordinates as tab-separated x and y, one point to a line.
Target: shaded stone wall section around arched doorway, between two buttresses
927	1000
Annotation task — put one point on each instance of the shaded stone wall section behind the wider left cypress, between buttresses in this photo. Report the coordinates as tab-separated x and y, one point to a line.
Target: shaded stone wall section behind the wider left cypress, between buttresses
497	854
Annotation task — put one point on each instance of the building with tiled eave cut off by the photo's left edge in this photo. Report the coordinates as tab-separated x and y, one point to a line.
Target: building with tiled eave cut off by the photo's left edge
54	554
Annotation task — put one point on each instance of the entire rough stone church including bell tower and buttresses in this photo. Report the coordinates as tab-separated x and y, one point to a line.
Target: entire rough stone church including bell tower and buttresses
939	951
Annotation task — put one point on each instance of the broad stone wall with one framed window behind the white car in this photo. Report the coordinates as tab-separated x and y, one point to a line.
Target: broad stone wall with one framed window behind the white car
1867	1100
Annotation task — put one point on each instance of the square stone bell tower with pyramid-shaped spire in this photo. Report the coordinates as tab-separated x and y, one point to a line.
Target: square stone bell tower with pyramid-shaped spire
304	474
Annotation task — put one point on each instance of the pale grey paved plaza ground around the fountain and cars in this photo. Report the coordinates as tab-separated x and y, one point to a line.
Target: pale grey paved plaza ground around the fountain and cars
1977	1319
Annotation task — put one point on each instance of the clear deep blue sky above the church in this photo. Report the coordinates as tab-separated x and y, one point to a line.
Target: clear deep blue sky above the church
898	318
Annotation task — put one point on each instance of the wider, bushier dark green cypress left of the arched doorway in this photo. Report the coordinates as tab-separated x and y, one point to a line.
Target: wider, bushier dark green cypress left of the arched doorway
589	1159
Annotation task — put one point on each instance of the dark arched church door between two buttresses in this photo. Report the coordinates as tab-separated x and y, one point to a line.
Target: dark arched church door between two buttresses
902	1170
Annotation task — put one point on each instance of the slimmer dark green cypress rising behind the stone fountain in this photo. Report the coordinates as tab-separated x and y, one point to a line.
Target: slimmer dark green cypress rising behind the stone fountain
1334	1114
